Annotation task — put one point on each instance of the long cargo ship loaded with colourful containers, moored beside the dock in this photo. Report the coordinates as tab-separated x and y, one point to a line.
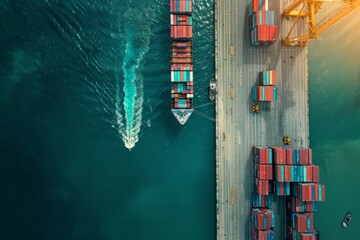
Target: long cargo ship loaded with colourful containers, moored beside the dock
182	89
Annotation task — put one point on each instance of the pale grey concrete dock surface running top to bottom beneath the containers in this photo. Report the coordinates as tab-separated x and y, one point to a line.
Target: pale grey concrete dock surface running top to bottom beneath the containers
237	127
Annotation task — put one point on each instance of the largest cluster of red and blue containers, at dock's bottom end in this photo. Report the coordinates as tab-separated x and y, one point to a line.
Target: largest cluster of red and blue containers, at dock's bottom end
295	177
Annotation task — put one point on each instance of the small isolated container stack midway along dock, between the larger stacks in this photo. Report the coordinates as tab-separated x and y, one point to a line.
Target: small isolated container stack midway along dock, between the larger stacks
266	91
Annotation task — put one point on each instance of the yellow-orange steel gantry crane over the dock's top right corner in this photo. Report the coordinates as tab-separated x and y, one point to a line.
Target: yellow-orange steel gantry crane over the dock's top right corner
308	11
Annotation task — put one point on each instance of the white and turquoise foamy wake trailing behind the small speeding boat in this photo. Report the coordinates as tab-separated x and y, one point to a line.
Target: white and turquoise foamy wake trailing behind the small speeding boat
129	99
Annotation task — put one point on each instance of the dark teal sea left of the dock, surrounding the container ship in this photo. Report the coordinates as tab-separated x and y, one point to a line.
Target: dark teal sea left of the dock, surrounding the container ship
81	81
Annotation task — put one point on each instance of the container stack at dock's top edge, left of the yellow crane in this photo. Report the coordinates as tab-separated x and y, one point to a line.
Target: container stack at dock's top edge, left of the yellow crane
263	30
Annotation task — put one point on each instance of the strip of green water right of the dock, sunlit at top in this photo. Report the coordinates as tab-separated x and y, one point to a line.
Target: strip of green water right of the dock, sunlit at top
334	83
